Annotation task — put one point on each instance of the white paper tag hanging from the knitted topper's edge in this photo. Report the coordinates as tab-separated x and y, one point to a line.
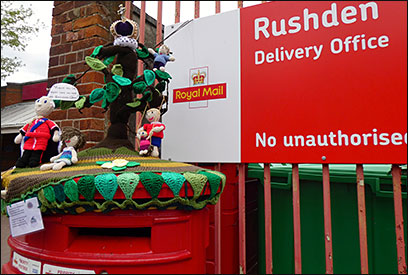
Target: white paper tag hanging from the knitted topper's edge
25	217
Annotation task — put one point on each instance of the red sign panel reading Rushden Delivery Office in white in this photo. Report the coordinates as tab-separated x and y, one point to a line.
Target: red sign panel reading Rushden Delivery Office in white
324	82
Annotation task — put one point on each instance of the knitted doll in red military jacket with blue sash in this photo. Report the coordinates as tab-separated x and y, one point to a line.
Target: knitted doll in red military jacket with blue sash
37	134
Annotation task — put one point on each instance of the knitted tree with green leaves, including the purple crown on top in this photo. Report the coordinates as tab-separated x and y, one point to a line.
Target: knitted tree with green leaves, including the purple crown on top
124	92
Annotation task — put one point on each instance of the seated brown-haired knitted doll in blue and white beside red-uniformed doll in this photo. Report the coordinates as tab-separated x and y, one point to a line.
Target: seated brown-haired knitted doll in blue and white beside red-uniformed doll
73	139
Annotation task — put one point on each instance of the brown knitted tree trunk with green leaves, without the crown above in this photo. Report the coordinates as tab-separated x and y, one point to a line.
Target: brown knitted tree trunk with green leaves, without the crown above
125	92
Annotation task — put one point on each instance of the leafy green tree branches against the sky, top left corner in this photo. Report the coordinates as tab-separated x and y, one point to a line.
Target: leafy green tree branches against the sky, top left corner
16	28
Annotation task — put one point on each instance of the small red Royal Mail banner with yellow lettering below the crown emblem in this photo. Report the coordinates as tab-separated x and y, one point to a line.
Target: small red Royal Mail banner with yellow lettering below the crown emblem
196	93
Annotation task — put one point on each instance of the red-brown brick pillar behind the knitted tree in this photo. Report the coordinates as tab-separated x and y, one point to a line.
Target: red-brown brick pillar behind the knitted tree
77	28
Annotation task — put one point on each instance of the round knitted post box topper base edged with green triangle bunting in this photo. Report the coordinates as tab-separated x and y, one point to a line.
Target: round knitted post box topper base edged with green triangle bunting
155	183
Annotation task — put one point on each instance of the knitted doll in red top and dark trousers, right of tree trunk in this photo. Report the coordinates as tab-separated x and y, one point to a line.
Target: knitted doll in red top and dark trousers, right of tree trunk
154	129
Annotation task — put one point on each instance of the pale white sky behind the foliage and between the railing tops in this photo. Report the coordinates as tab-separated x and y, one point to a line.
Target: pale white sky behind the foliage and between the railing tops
36	55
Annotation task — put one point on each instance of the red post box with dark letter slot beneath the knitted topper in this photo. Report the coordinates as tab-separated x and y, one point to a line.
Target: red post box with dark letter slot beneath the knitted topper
118	242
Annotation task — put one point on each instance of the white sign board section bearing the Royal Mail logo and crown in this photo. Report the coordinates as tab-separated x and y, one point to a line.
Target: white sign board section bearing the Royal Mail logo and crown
200	125
